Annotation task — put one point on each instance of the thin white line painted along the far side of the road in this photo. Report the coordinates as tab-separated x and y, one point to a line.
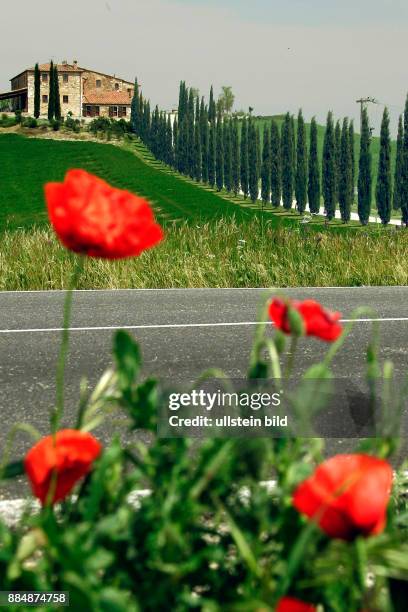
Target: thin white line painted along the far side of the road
178	326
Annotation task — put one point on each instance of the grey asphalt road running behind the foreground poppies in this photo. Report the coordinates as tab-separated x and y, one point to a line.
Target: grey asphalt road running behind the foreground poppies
182	332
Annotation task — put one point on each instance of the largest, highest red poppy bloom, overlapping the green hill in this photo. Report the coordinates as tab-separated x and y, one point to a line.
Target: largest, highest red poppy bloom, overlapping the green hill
95	219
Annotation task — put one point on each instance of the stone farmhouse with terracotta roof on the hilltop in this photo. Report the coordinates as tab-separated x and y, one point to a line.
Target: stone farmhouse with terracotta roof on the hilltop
84	93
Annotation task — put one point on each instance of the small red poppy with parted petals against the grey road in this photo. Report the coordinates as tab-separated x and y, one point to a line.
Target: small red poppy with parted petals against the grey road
317	321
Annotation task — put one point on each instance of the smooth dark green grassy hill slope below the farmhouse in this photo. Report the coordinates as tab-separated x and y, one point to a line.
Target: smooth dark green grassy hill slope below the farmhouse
28	163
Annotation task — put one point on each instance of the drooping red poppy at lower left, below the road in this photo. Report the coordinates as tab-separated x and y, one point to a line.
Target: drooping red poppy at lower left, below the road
69	455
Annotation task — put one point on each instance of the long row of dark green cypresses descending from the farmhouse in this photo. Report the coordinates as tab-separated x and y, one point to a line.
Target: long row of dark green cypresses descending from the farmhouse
279	166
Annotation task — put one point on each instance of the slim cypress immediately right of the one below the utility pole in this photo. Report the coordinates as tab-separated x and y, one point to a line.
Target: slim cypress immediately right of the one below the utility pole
384	188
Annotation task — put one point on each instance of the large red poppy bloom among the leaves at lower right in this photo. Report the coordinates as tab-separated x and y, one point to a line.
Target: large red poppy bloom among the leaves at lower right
347	495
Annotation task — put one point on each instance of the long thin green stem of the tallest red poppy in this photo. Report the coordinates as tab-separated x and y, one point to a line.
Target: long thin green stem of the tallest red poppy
62	358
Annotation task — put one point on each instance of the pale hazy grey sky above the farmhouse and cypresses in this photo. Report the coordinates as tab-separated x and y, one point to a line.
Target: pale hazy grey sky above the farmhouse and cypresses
277	55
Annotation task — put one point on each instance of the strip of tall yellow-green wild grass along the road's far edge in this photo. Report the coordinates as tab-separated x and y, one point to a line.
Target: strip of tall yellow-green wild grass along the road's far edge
223	253
